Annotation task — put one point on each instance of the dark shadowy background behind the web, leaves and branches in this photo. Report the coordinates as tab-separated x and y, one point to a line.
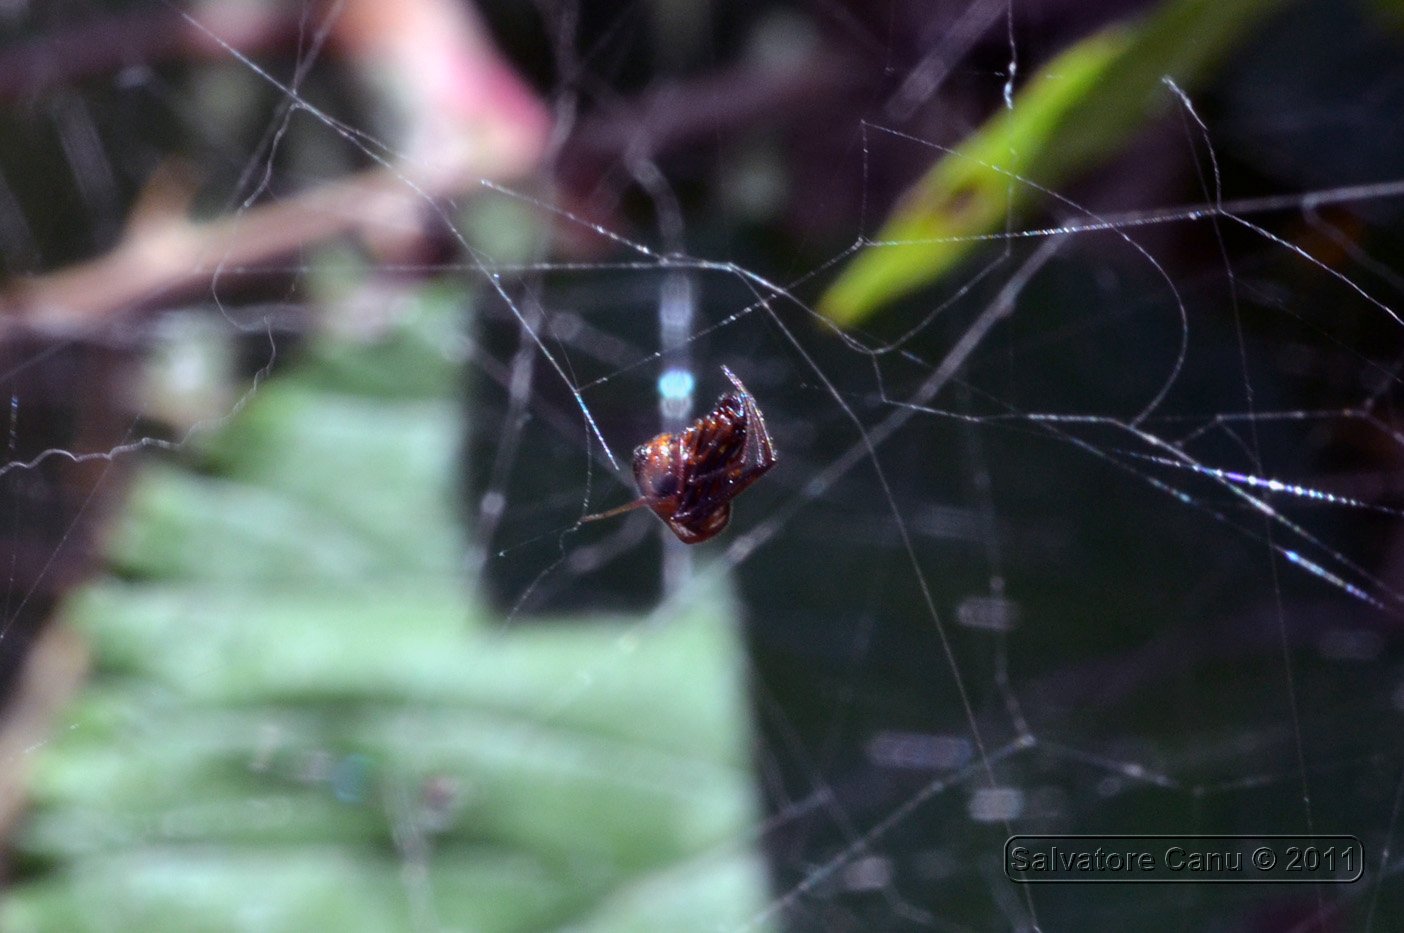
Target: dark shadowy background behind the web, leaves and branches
1169	667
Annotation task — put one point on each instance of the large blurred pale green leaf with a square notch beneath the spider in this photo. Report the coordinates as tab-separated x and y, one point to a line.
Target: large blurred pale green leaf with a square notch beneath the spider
300	720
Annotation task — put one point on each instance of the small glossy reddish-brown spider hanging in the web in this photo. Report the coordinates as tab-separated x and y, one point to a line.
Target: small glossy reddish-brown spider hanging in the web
690	479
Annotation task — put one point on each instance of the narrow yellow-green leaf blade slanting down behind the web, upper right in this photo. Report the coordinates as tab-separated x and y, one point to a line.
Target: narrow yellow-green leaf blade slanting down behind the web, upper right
1073	116
